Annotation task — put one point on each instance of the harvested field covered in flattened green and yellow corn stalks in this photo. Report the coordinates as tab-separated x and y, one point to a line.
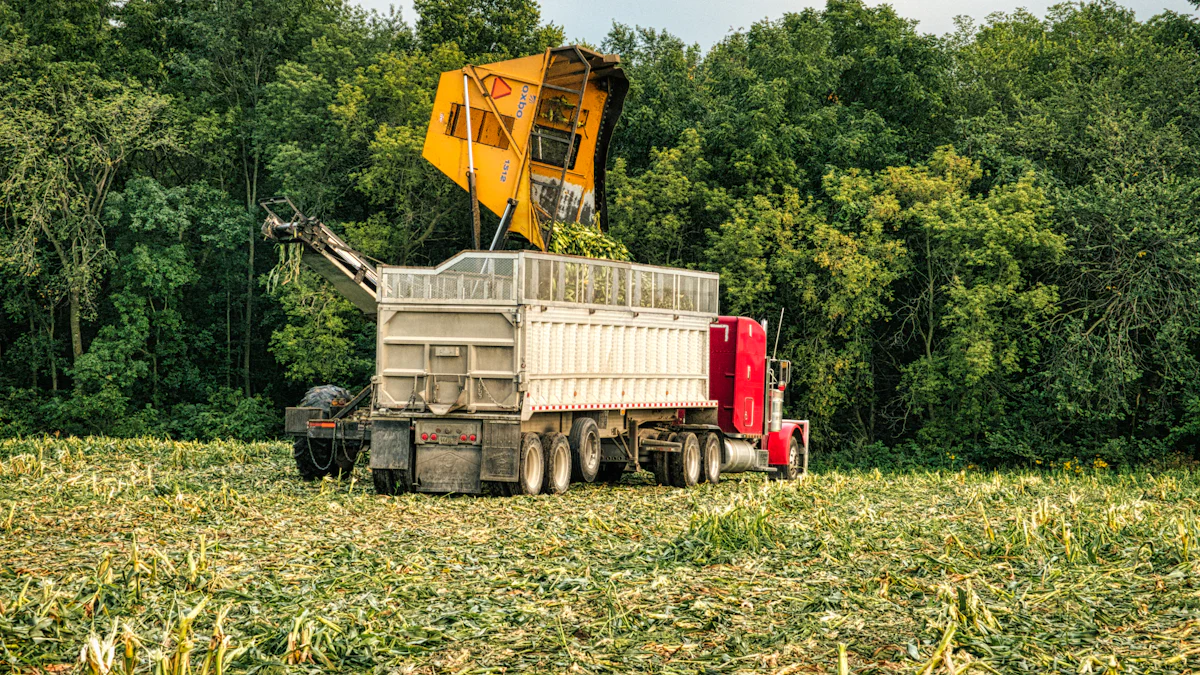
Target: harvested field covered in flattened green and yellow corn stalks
135	549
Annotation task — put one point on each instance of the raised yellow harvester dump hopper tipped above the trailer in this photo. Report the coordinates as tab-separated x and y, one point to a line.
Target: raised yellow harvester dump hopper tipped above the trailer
520	132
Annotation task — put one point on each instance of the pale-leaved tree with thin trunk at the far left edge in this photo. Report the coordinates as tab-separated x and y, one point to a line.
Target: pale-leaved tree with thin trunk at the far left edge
65	135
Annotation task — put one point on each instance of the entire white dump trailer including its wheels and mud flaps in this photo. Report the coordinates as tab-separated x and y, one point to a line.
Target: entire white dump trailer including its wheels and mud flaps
491	354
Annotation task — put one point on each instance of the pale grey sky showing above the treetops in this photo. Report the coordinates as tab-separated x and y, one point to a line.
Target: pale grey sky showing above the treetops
706	22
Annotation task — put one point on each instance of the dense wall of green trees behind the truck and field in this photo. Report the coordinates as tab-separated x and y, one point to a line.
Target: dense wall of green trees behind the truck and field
986	244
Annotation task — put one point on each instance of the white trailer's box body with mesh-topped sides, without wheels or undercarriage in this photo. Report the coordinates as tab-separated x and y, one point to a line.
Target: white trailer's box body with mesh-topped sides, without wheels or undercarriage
581	334
